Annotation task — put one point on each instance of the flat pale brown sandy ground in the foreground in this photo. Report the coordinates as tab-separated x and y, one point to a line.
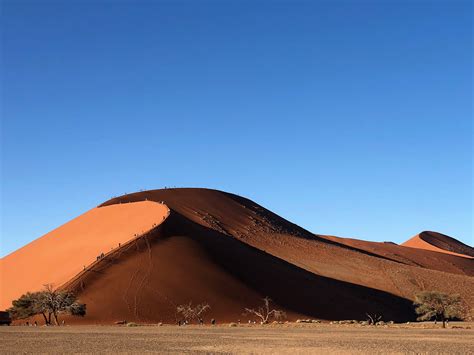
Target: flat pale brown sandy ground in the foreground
295	338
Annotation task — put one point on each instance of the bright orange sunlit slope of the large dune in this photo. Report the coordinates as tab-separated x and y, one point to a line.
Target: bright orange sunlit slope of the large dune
59	255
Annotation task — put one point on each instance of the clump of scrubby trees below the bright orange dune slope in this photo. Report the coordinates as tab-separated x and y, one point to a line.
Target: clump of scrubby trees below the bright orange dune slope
50	303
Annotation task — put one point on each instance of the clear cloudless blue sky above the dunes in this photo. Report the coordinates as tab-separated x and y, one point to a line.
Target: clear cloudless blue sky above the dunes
349	118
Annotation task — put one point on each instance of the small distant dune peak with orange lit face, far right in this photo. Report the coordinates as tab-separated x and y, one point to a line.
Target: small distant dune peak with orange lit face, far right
440	243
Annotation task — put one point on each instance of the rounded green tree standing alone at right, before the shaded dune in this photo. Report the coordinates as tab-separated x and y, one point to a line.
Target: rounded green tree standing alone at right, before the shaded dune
438	305
